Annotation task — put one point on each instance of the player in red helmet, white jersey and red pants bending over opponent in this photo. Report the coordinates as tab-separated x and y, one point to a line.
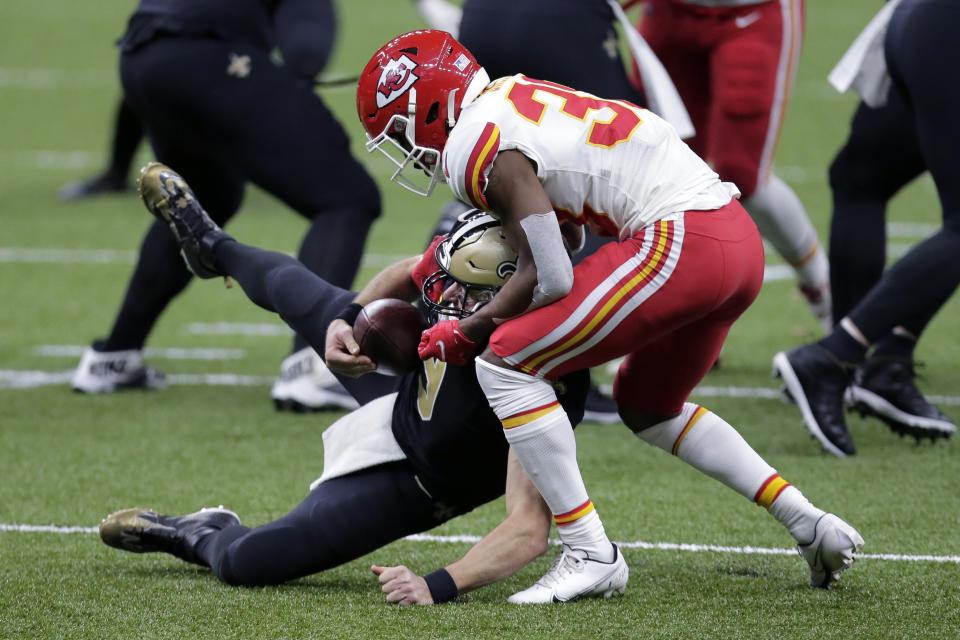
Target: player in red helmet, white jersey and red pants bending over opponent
688	262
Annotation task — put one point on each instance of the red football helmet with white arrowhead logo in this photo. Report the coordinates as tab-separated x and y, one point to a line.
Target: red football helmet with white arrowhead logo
409	97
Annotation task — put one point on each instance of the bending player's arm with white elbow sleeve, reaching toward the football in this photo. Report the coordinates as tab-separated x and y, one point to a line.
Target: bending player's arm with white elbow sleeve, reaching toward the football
544	272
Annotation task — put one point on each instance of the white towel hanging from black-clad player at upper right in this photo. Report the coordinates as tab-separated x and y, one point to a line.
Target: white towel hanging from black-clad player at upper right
863	67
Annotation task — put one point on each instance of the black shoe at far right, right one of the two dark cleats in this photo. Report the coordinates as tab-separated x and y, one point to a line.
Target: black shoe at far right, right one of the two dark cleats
884	388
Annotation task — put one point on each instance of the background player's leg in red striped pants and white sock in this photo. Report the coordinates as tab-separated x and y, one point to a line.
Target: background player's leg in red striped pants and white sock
754	70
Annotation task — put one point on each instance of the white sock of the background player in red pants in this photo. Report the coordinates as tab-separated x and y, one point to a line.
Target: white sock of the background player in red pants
784	223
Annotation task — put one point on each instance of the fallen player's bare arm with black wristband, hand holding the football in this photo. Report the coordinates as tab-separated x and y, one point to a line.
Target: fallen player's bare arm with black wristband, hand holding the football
341	352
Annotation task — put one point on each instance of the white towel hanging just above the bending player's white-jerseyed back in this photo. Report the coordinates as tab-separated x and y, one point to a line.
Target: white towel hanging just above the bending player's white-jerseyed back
662	95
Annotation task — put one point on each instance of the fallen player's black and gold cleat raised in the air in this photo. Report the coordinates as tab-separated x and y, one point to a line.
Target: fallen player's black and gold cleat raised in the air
168	197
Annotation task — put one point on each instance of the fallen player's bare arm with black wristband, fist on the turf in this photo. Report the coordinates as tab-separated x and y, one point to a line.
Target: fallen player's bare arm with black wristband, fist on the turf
516	541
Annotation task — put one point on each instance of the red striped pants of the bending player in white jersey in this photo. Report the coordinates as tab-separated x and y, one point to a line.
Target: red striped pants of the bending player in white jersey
665	298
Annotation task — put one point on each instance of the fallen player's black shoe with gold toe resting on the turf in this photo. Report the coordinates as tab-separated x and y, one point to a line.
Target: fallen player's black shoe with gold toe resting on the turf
144	530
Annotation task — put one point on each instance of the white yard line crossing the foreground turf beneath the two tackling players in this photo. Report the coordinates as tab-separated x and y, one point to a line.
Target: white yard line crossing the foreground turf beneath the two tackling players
635	544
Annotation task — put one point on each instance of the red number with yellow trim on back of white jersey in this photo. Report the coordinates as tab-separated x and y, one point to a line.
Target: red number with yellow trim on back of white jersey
606	133
